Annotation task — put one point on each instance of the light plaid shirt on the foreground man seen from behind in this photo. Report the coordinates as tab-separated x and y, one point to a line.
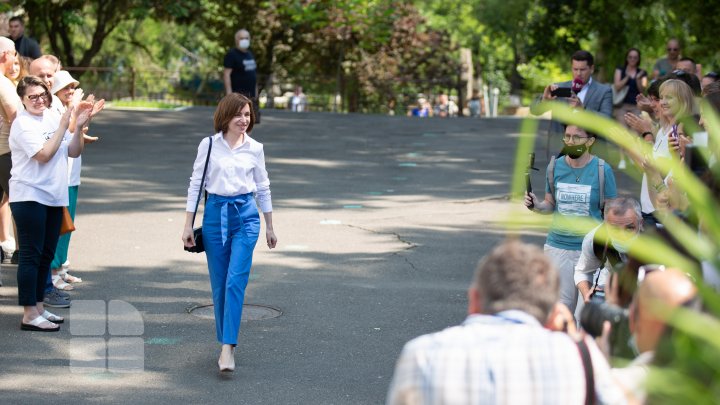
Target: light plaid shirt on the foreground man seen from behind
508	358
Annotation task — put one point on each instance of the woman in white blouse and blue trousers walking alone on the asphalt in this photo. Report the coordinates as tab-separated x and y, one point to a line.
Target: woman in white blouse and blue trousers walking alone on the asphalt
231	223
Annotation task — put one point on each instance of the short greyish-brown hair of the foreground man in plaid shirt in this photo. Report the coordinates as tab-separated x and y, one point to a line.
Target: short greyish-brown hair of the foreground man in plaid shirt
517	275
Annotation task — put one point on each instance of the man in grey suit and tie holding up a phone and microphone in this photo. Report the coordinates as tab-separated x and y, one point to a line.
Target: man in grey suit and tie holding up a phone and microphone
587	94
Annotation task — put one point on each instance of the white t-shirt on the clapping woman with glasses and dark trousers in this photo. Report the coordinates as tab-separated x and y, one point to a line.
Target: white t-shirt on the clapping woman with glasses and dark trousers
31	180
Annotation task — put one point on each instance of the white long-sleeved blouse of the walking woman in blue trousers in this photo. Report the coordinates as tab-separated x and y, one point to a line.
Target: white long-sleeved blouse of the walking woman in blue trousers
231	171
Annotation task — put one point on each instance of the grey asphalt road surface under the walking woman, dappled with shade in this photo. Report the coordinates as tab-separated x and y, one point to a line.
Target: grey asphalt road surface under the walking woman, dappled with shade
380	221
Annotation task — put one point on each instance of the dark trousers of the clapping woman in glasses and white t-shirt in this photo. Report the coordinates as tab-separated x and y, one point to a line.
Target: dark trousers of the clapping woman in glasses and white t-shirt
38	228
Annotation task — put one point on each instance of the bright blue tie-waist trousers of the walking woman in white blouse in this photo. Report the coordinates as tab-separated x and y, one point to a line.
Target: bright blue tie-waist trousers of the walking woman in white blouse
231	226
